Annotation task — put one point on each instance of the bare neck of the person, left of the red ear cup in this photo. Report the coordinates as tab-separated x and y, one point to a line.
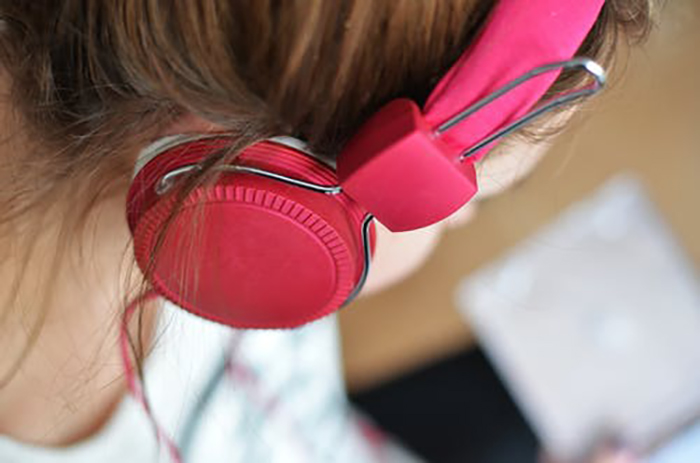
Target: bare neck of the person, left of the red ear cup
62	368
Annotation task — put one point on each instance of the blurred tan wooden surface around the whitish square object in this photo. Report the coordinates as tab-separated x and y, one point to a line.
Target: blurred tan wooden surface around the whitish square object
647	124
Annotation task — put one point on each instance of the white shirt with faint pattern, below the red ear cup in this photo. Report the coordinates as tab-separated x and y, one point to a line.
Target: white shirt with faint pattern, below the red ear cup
281	399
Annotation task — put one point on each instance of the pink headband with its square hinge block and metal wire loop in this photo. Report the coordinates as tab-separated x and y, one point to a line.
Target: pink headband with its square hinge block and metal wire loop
407	165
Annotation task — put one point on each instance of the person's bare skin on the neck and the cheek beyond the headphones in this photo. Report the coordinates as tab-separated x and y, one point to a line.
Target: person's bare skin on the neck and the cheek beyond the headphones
71	381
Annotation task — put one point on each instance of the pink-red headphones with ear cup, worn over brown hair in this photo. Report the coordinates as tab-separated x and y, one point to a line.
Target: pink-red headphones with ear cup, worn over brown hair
283	239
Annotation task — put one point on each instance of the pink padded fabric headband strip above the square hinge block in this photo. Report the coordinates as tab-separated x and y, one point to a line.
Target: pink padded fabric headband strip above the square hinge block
505	50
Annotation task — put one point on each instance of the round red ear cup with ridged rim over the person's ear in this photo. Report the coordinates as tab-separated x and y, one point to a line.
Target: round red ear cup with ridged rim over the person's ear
248	251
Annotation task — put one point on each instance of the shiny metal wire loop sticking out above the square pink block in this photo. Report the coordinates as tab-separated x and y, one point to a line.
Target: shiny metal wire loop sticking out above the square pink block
588	65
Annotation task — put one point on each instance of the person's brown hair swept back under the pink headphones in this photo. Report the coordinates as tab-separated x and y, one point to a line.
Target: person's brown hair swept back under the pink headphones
91	80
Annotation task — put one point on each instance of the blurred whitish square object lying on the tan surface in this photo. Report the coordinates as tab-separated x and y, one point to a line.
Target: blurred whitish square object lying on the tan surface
594	324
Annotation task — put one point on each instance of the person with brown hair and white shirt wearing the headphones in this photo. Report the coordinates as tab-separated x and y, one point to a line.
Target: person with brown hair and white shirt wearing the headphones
88	85
